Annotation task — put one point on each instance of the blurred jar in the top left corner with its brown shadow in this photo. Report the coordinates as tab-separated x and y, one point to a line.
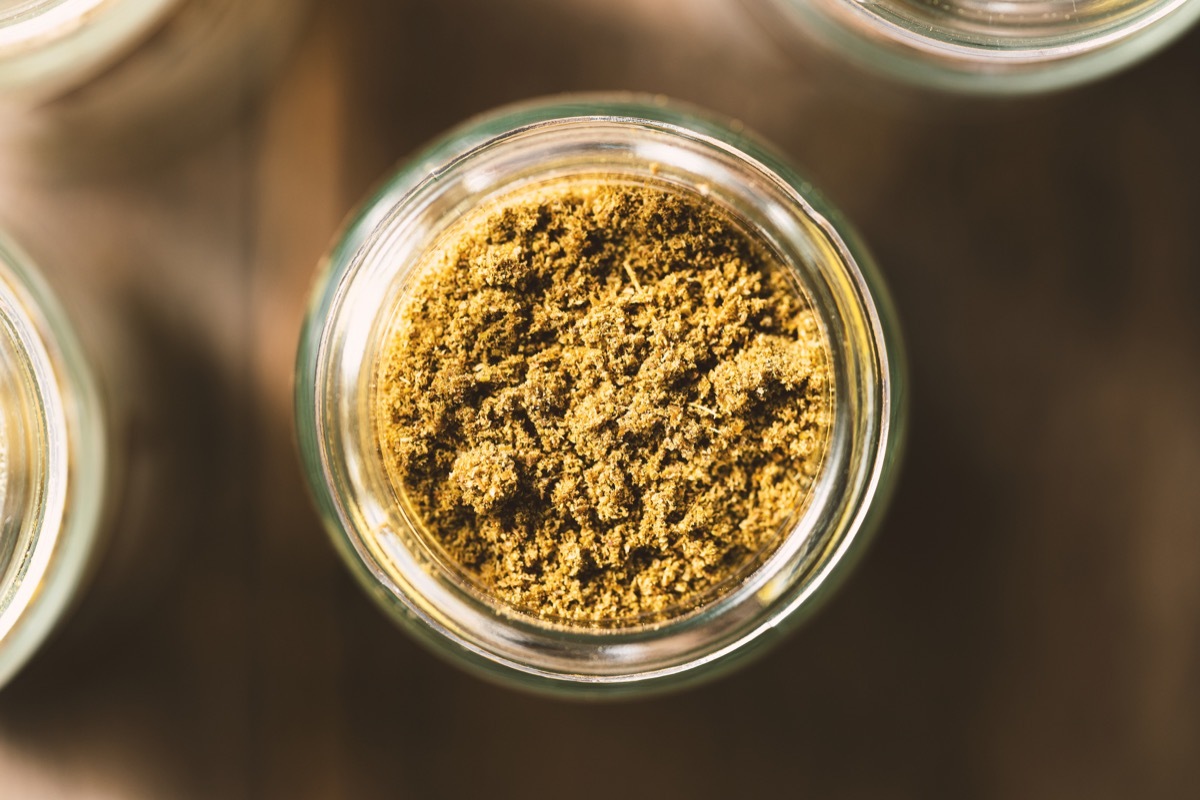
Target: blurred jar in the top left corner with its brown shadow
103	83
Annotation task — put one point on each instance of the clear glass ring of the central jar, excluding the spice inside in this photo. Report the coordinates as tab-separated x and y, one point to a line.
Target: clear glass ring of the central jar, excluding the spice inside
368	274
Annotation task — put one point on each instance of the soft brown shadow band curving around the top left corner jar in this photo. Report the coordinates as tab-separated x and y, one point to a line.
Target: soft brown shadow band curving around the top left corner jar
199	71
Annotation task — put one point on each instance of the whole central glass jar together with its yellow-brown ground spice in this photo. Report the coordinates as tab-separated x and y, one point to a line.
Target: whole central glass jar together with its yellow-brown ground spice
598	398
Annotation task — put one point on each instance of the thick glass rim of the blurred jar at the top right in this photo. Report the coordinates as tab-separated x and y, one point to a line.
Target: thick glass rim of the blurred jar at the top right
884	40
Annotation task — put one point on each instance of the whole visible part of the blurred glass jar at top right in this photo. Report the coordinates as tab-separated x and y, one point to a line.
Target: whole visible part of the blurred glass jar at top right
989	46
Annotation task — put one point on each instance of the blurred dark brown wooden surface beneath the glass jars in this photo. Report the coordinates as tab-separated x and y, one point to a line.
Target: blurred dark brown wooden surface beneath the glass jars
1028	624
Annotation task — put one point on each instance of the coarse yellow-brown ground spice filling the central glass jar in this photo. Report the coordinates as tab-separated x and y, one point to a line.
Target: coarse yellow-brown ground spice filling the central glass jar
603	399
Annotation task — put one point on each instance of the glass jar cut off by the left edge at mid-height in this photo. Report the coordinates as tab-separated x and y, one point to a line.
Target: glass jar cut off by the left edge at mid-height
53	462
